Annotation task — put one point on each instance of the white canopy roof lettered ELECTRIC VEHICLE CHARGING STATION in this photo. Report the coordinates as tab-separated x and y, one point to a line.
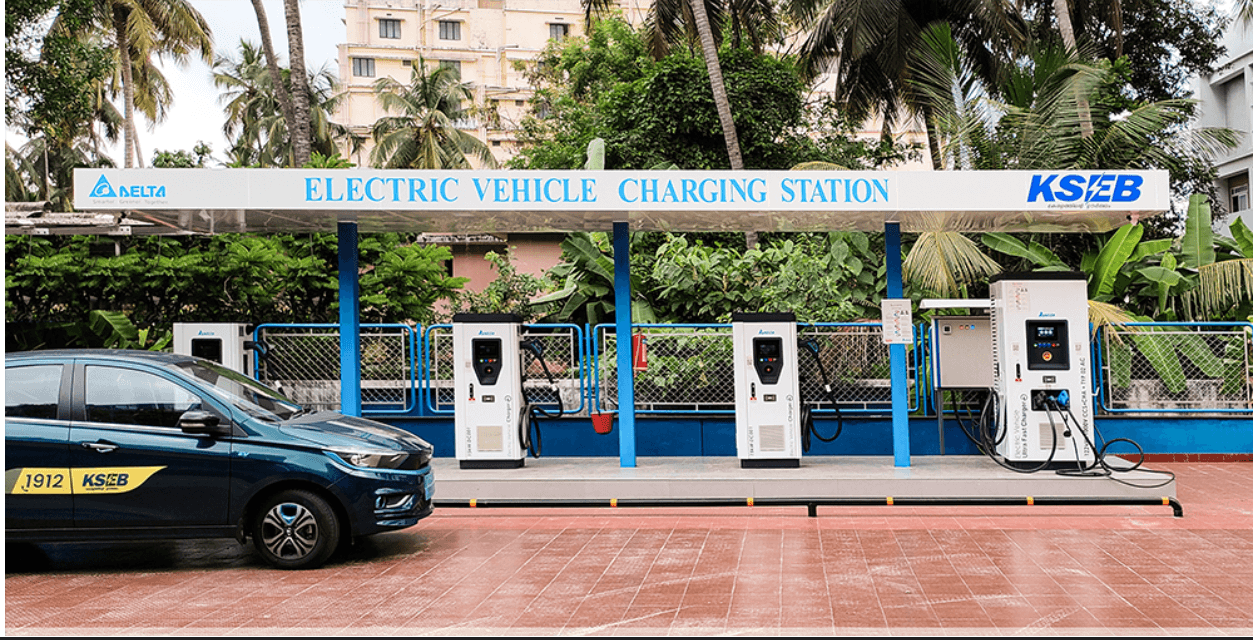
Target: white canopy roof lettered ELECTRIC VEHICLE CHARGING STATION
285	201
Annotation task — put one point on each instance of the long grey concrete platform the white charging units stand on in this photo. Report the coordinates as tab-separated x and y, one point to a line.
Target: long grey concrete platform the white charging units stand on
695	479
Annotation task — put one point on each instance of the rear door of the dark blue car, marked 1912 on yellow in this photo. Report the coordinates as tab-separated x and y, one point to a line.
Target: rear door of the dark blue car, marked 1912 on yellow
38	493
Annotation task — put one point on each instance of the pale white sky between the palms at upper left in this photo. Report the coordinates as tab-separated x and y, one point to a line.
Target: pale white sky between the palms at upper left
197	115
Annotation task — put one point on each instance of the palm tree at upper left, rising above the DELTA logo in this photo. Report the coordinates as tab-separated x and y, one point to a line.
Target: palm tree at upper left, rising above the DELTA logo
146	28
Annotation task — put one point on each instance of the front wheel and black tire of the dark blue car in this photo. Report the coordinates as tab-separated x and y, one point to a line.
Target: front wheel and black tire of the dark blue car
296	529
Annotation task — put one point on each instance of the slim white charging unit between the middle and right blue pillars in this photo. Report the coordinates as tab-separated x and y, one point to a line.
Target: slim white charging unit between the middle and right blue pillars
767	390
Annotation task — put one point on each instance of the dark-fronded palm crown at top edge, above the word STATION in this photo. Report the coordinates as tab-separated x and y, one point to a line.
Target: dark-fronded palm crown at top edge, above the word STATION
870	43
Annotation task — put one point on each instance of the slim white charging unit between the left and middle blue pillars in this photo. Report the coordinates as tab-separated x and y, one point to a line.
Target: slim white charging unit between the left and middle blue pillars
491	416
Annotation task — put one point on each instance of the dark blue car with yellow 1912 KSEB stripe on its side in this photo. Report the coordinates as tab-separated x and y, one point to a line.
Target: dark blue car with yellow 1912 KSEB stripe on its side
127	445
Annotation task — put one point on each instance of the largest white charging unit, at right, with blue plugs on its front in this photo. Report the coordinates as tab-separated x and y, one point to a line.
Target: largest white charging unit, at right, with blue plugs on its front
1042	368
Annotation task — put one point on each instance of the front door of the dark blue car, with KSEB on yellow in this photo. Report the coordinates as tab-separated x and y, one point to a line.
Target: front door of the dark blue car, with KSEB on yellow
133	467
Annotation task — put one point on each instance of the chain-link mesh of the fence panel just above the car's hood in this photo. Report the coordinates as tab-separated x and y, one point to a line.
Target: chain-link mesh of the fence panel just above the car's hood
303	361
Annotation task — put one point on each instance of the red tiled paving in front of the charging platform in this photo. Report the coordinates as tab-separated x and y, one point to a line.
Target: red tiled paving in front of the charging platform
764	572
